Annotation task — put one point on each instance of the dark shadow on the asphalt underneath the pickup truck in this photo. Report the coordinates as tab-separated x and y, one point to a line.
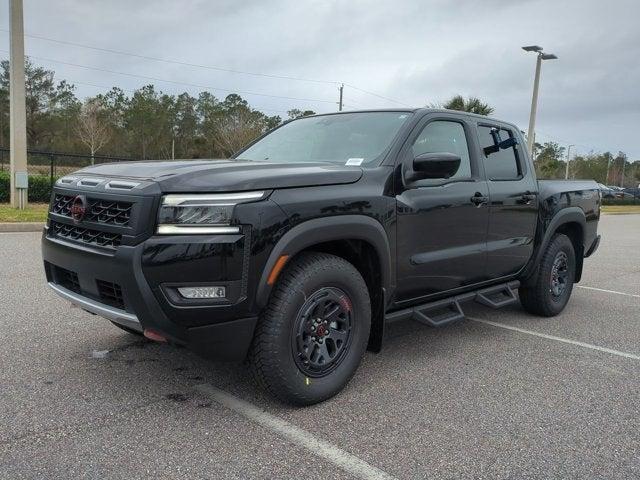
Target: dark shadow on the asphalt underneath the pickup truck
177	371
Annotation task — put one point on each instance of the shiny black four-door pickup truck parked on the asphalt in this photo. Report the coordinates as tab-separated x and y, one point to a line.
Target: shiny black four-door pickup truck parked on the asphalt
295	253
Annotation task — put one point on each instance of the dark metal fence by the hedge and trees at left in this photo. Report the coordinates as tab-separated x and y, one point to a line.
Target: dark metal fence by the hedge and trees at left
56	164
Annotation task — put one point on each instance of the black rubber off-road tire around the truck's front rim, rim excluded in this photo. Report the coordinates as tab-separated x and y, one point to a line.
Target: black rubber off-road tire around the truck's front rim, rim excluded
273	358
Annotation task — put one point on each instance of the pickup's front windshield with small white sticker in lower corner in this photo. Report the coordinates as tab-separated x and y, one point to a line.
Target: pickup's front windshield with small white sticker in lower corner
347	139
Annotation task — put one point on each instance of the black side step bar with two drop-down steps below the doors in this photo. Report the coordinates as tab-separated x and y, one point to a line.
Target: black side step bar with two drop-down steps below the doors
448	310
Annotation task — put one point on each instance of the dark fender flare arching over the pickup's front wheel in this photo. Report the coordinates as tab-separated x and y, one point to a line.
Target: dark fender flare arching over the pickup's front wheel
325	229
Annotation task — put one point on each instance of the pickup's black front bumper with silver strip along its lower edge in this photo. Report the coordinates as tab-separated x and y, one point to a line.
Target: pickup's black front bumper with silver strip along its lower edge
144	276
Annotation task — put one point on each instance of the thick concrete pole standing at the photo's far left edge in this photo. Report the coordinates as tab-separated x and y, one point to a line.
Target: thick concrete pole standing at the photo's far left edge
17	109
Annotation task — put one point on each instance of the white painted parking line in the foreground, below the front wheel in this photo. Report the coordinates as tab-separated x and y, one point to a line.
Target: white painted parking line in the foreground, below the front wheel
346	461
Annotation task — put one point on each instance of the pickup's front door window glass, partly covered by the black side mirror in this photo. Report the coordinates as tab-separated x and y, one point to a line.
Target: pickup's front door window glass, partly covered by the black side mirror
443	136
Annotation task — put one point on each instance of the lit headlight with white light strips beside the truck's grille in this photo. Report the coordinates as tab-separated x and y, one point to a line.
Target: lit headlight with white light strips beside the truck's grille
206	213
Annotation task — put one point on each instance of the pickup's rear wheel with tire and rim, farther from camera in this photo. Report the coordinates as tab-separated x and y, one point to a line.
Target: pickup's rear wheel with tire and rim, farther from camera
548	293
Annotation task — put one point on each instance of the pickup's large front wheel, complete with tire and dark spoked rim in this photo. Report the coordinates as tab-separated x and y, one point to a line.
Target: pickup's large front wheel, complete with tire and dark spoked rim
314	332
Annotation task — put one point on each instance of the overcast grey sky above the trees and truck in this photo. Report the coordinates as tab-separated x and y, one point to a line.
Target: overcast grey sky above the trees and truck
407	52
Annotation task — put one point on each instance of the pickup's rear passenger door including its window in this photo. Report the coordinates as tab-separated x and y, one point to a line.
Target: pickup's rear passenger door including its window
513	205
